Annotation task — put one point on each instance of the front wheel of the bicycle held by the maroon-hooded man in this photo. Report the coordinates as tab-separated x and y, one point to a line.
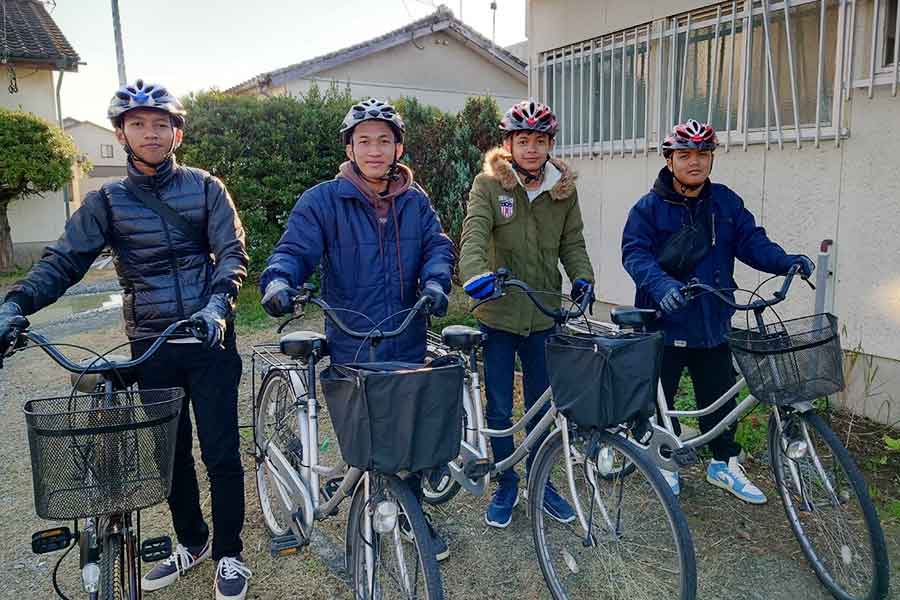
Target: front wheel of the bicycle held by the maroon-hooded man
392	558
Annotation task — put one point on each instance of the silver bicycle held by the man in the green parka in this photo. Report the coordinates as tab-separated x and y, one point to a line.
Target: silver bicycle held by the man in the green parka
629	539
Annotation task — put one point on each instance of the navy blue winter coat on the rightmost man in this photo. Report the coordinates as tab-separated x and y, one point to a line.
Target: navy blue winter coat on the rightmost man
659	215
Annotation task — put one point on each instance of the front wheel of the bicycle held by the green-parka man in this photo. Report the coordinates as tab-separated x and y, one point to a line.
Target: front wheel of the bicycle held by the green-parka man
634	543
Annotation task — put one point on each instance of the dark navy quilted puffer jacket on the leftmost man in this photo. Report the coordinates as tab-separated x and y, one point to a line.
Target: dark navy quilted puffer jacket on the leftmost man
162	284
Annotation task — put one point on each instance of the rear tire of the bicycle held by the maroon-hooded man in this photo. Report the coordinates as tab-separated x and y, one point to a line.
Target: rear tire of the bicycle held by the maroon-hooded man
269	502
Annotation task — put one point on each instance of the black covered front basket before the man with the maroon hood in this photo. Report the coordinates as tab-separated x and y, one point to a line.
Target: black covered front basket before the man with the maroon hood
393	417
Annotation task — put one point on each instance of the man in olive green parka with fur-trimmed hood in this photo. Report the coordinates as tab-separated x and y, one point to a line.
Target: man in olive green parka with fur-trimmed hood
523	214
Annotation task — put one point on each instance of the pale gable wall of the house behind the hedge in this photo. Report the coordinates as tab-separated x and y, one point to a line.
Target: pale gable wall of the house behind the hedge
440	75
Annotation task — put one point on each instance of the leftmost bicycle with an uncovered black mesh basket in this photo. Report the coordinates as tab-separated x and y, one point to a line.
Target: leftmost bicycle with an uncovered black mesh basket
101	456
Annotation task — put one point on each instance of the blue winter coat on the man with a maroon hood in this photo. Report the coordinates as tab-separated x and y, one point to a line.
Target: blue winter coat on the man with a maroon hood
335	226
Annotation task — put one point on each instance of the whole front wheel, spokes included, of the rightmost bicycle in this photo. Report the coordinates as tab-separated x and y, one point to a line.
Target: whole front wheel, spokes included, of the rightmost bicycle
828	507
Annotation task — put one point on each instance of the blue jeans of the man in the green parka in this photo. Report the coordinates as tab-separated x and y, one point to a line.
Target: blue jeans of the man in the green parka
500	351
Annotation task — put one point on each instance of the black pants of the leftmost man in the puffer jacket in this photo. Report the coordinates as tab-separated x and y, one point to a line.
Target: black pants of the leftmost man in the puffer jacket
210	380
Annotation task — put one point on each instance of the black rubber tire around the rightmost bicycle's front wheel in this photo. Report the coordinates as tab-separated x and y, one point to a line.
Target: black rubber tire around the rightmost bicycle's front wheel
880	581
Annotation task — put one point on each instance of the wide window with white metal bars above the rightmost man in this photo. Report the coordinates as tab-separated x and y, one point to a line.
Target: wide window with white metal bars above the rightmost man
760	71
